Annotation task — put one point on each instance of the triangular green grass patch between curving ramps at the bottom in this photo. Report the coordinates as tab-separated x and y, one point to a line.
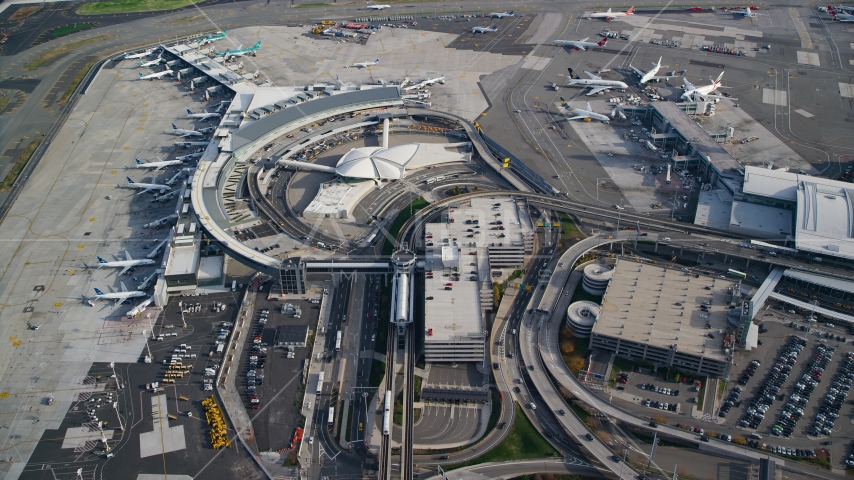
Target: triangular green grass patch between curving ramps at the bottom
522	441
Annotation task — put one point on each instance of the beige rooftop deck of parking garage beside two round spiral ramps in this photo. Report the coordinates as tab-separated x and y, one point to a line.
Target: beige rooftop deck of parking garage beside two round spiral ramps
658	306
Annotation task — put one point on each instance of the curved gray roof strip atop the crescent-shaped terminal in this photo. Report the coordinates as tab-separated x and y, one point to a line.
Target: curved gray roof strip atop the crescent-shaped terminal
292	114
